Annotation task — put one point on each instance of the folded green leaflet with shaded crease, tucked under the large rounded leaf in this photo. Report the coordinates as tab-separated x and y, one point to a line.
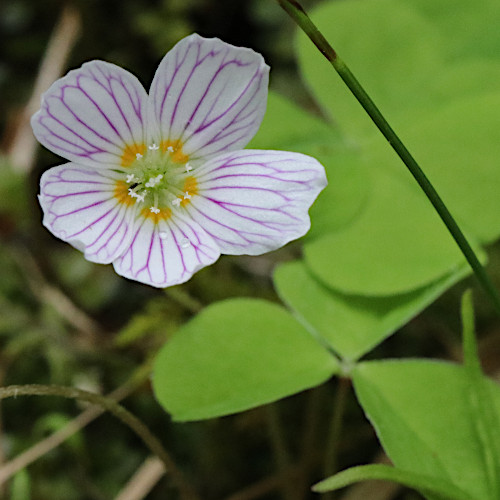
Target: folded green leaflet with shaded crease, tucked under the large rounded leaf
352	325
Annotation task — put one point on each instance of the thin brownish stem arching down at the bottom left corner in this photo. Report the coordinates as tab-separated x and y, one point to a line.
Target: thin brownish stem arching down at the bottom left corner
118	411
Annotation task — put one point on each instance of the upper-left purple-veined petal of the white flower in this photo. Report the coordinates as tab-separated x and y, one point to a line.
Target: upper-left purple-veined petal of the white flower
93	116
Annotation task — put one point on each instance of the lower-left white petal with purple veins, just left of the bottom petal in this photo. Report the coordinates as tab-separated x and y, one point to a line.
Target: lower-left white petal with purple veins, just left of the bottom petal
80	207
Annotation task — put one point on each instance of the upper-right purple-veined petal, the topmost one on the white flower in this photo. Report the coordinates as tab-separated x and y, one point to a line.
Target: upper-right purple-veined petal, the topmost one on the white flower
209	95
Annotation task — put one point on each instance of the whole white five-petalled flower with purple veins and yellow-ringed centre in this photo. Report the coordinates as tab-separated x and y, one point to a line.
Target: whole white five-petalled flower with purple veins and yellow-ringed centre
159	185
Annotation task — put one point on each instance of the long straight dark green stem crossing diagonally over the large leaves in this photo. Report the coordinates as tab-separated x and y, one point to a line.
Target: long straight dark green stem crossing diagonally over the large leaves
298	14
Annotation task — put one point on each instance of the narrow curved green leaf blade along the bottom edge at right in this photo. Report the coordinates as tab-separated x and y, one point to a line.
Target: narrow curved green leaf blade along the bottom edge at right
425	484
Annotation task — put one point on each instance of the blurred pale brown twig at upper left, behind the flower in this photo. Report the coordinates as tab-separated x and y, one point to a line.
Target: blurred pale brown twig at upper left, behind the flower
22	147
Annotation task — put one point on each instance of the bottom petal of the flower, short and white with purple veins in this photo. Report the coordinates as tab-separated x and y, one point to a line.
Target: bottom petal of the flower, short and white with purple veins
166	252
